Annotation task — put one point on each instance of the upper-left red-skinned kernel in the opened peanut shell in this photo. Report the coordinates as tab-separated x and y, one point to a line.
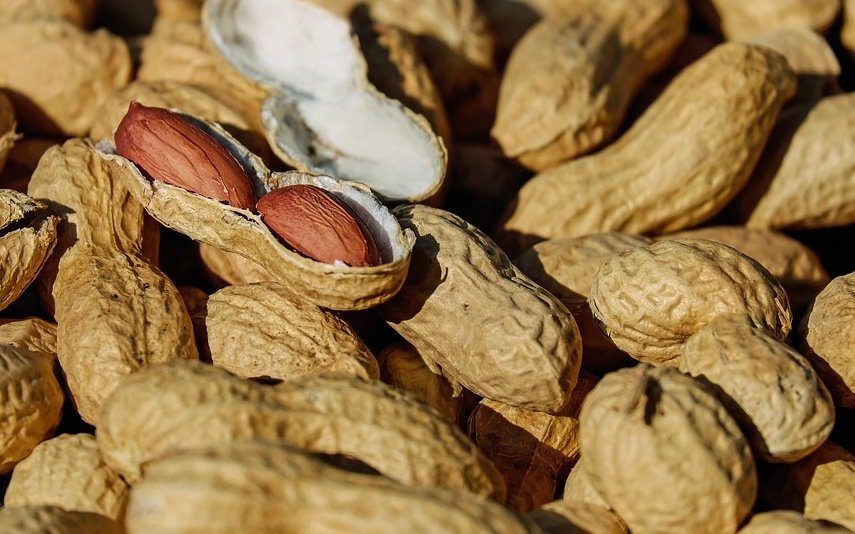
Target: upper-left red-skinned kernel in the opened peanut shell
168	149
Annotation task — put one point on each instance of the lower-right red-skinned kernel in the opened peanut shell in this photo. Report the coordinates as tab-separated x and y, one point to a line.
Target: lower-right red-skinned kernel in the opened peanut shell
318	225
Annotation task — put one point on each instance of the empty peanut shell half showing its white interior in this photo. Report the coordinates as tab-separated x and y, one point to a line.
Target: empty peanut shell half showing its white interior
323	112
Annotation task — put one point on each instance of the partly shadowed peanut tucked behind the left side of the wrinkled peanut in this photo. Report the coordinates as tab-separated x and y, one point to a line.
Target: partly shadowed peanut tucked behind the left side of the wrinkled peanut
566	268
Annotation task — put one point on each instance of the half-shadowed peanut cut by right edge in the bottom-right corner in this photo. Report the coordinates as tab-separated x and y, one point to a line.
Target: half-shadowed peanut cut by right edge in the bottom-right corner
820	486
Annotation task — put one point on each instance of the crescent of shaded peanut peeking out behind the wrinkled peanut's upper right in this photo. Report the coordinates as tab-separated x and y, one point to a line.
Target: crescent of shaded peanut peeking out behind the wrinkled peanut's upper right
794	265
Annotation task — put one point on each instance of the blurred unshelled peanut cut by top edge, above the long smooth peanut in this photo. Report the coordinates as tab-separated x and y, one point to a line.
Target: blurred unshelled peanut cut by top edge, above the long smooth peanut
571	78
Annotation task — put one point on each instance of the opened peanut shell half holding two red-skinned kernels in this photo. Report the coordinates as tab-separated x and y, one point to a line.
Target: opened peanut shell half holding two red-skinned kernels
231	228
